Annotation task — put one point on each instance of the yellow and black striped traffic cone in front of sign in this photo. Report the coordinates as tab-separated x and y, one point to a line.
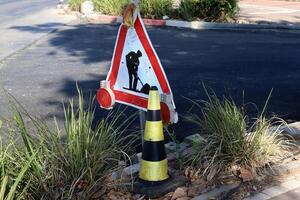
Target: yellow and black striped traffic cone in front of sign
154	164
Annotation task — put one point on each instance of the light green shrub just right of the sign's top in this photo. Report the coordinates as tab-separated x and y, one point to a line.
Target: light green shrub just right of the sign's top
155	8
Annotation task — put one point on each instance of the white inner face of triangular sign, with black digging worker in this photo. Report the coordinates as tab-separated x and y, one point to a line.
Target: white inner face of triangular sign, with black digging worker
136	74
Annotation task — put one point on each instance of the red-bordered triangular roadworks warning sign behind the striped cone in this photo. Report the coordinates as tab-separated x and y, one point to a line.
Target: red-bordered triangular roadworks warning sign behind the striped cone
135	68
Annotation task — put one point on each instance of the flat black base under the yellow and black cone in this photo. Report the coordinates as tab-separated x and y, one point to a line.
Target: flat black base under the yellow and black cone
155	190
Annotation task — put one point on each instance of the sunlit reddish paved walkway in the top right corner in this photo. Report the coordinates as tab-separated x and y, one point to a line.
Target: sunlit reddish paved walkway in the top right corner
269	11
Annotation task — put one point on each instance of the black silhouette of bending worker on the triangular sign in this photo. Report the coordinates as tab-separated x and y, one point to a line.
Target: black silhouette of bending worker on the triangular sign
132	62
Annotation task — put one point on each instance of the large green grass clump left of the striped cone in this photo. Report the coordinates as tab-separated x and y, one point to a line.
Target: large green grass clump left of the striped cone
69	162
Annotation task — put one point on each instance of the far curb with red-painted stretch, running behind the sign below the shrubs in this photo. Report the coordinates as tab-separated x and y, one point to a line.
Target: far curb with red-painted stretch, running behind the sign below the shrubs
196	25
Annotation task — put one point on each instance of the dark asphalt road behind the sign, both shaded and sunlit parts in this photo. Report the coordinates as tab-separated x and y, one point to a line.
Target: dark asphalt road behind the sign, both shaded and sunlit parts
244	65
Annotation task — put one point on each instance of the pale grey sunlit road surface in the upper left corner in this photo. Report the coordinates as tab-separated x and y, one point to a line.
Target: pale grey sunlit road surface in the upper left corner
25	21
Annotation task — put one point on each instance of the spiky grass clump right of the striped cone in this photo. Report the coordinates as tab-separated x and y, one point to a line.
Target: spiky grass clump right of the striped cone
230	139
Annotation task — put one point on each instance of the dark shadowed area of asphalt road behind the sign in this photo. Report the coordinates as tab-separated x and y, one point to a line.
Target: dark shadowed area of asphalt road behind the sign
242	65
